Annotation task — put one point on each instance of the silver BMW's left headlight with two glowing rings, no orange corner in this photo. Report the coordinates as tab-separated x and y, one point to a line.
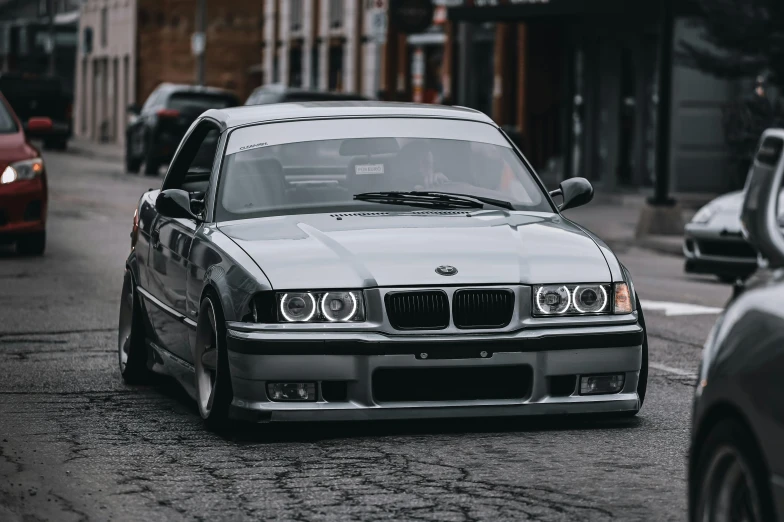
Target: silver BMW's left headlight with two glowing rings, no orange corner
335	306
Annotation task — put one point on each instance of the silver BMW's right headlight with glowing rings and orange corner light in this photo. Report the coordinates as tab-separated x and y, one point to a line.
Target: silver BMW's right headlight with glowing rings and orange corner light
582	299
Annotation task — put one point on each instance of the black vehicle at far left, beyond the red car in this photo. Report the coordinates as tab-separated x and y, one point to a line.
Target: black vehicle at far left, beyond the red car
33	96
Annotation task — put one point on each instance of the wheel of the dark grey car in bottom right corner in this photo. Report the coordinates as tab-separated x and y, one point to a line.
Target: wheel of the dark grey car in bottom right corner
731	482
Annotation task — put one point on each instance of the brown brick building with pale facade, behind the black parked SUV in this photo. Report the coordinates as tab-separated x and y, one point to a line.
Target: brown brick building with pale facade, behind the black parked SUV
128	47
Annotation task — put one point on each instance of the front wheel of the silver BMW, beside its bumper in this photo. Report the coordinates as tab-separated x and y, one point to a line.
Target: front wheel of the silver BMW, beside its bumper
211	363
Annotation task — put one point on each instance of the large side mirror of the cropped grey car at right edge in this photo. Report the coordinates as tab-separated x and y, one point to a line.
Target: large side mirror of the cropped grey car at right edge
759	216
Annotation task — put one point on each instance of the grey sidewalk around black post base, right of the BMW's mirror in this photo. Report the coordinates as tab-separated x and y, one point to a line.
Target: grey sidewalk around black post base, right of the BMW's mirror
614	218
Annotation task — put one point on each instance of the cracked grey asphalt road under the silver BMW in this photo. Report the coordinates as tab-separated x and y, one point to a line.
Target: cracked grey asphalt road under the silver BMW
78	444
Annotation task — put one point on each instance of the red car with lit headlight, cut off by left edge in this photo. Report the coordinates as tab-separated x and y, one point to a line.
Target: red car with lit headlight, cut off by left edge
23	191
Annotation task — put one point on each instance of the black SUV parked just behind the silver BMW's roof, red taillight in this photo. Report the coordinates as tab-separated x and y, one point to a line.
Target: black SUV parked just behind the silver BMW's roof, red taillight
156	128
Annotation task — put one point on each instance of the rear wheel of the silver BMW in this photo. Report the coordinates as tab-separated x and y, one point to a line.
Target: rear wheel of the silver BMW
131	347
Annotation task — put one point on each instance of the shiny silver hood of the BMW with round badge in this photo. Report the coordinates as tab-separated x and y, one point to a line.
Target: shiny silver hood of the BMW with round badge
402	249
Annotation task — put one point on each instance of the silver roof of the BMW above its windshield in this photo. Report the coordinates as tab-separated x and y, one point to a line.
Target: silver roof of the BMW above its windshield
252	114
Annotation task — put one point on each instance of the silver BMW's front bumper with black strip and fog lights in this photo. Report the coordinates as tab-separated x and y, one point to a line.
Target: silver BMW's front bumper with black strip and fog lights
355	359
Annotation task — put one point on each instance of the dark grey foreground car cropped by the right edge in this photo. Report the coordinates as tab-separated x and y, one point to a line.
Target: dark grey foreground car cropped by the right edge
736	461
